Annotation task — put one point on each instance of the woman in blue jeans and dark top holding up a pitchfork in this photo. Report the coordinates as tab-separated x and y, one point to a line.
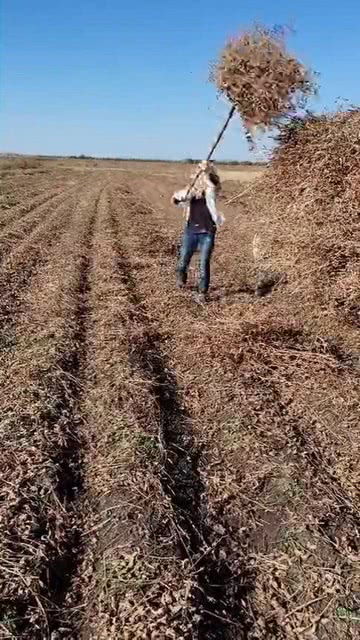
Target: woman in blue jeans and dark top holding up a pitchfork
202	220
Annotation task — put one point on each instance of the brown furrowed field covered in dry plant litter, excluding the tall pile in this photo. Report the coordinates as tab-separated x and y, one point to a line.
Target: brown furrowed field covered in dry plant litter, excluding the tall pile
168	470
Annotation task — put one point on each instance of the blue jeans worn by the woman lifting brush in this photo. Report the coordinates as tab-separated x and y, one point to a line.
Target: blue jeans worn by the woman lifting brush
204	242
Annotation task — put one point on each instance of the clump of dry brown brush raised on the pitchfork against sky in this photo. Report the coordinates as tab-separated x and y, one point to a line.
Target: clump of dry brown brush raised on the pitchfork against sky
260	78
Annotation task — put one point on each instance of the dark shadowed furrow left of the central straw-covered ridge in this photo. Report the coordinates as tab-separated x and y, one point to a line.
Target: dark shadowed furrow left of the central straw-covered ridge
69	456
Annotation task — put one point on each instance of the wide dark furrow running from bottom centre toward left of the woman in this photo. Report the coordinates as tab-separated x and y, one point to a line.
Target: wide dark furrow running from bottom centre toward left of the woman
219	596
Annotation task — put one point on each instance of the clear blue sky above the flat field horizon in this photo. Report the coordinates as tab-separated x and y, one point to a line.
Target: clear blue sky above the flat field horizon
129	78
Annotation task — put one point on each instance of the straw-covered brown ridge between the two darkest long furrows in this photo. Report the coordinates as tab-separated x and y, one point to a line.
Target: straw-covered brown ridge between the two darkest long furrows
120	486
